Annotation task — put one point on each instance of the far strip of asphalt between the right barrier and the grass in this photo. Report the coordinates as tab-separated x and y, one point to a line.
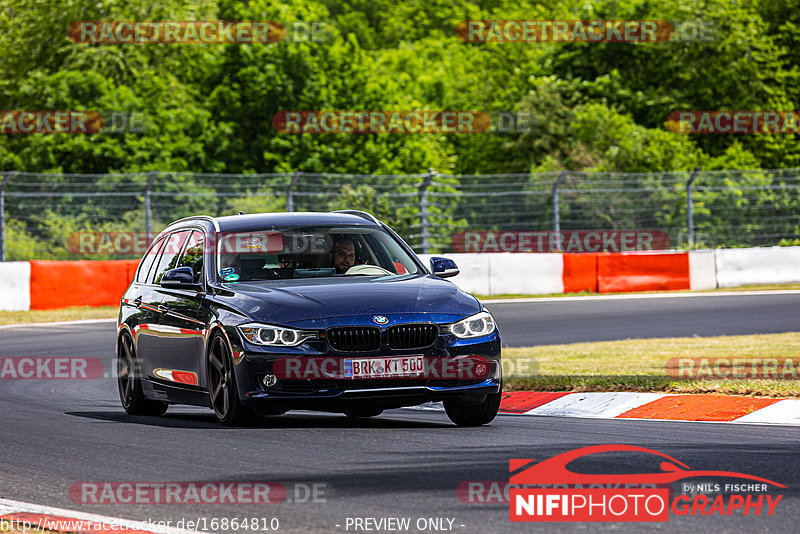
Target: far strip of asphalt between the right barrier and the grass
574	320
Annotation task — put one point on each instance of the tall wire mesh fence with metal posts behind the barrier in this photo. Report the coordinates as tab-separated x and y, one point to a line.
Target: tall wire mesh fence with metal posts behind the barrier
40	213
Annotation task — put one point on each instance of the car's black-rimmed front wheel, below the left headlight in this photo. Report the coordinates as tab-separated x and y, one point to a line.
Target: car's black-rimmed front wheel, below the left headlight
222	389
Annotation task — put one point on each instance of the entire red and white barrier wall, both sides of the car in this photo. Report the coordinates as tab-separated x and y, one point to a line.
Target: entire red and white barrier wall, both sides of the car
59	284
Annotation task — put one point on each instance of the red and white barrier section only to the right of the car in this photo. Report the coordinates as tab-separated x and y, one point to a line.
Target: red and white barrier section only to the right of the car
504	273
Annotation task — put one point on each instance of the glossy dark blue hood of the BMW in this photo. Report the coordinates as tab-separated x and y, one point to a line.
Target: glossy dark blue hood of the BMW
297	301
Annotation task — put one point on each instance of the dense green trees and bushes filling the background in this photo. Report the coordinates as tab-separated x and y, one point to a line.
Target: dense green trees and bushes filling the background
209	108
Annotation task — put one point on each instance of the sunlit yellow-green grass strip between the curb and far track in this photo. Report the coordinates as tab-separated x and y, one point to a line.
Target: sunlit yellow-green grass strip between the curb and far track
641	365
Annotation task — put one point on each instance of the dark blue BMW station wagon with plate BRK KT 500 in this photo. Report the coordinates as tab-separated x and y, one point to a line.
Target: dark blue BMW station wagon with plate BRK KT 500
255	315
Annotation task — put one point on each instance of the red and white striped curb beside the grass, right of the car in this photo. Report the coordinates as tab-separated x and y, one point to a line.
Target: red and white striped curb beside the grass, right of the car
653	406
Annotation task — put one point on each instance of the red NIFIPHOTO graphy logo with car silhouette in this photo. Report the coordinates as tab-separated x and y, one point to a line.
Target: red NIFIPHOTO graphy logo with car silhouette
572	496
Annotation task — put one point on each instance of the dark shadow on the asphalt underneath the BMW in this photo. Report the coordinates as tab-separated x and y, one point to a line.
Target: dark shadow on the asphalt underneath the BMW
291	420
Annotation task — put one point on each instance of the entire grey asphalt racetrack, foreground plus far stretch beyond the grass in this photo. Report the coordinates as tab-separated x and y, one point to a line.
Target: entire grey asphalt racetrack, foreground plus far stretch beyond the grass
404	464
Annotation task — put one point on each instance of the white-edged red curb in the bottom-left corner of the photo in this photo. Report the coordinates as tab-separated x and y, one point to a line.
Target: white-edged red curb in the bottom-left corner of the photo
28	516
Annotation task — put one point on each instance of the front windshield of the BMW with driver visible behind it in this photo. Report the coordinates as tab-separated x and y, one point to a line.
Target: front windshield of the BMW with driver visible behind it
290	253
